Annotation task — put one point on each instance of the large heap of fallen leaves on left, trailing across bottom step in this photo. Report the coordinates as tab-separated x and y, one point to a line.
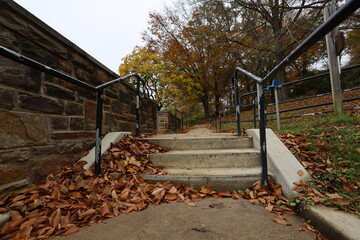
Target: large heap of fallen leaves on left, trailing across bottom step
73	198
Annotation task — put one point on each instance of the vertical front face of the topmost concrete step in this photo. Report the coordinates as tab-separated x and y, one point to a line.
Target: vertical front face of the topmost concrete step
197	144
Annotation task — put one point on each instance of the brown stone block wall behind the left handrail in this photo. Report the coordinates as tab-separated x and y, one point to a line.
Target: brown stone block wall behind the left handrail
45	122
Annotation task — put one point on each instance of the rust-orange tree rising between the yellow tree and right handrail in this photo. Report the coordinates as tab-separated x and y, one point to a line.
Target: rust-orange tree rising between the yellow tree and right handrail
185	37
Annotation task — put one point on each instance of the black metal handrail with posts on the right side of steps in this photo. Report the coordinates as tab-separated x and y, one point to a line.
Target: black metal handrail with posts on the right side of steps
340	15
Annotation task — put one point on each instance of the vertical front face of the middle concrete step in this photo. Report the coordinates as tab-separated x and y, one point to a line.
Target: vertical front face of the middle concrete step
230	160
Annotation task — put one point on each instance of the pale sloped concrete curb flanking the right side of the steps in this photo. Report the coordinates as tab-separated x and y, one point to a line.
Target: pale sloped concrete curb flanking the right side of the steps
281	162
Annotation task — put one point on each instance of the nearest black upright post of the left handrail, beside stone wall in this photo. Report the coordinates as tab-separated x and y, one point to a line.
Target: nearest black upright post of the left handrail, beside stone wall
99	111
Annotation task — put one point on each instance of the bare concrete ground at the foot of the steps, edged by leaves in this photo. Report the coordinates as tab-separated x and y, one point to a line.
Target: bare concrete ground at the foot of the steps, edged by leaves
210	219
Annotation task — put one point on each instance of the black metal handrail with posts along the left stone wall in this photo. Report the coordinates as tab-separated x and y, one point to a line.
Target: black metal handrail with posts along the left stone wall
98	89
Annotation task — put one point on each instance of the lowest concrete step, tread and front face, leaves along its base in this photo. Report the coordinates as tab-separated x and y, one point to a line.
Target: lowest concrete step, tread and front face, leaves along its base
219	179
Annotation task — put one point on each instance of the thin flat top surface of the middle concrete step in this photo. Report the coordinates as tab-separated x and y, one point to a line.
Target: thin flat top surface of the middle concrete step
209	151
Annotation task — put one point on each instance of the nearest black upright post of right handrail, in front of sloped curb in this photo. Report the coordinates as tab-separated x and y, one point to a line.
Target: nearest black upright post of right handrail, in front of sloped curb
264	171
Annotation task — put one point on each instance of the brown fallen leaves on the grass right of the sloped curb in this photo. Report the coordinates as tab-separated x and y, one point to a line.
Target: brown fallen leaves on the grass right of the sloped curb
318	163
